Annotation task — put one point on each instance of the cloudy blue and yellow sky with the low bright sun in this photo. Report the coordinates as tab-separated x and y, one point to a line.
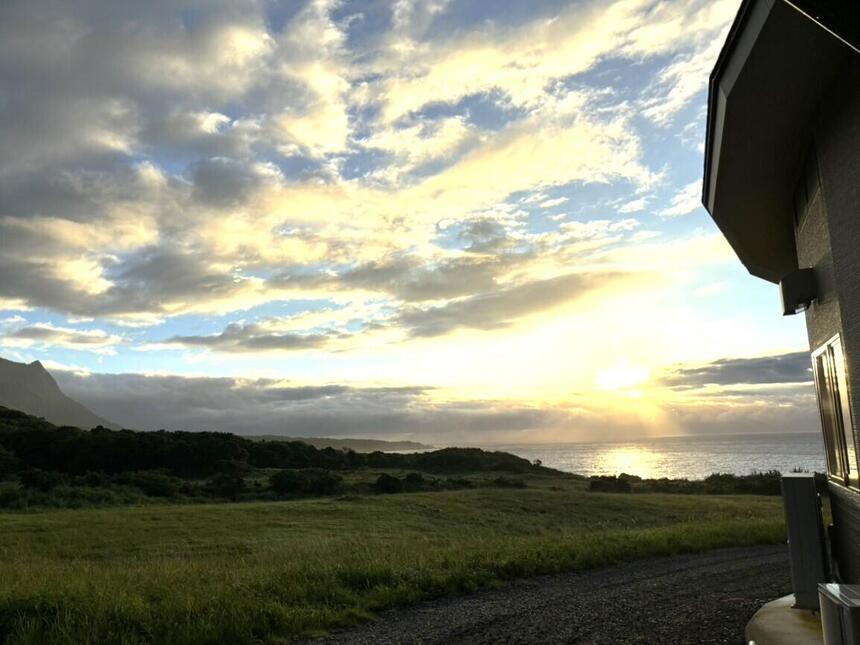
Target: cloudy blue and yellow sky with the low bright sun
443	220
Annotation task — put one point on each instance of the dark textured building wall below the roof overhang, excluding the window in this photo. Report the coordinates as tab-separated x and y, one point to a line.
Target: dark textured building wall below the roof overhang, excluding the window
834	222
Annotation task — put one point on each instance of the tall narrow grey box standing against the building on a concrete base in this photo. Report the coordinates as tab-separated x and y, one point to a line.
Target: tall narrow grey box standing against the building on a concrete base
806	540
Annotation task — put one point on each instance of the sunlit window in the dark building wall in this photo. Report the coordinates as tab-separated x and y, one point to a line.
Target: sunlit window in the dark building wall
829	367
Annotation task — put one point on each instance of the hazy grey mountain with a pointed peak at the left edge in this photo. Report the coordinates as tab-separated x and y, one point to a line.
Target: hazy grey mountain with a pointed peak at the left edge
31	389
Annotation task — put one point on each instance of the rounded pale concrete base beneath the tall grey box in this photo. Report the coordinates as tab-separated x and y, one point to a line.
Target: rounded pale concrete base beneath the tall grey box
778	624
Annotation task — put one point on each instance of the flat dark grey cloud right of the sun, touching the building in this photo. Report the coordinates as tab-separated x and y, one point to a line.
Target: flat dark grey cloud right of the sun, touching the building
789	368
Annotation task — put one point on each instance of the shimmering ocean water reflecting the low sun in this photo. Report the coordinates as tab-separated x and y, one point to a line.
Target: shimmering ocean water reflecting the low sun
679	457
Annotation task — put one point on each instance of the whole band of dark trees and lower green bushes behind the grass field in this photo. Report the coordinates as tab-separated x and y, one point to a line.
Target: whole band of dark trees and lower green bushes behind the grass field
44	466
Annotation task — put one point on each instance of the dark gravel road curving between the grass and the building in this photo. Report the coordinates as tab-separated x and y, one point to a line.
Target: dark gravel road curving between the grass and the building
704	599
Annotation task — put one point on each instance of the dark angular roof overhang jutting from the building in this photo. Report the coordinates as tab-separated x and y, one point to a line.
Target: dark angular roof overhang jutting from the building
764	91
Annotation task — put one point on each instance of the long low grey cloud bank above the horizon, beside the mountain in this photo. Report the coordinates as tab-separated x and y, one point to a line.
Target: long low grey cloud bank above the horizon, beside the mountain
267	406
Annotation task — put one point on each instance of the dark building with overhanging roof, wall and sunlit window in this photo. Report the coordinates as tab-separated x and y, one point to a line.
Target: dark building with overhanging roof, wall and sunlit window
782	182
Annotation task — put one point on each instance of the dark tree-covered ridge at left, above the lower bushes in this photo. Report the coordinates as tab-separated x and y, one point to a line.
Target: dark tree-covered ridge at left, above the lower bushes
27	442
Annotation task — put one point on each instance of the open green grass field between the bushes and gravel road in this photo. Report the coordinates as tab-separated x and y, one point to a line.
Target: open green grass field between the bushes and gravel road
270	571
